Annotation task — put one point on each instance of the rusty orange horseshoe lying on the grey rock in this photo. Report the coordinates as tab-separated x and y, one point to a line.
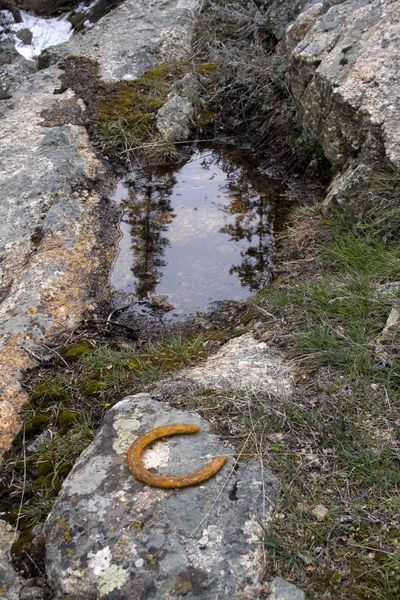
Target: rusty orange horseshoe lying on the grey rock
136	467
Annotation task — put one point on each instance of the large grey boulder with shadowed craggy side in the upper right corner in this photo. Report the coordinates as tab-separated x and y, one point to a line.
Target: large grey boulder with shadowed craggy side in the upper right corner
344	66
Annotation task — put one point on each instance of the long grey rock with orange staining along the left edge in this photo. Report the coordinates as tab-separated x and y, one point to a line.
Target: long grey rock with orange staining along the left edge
48	233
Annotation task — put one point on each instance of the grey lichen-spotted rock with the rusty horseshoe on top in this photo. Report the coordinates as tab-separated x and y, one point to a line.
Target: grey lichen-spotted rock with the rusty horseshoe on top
110	536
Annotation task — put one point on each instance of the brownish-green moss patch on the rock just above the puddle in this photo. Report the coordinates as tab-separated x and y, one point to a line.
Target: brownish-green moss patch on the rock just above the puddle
122	115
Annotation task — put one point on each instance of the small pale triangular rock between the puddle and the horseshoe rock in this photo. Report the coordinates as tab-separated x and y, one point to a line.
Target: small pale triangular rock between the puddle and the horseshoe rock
247	364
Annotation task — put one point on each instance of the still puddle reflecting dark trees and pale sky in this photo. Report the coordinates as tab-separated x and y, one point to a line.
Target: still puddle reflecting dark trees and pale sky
198	234
